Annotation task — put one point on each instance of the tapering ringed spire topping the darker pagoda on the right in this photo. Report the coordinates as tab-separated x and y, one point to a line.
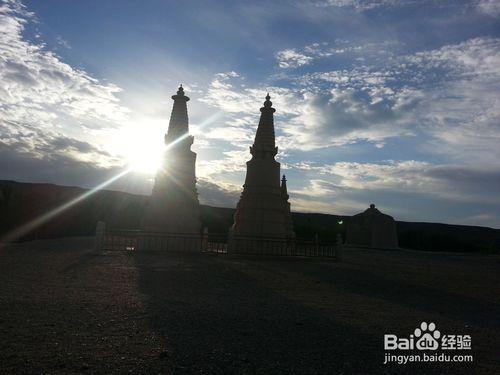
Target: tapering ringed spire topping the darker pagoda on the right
264	144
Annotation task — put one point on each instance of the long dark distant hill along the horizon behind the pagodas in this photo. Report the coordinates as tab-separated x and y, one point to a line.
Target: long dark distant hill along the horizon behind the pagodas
21	202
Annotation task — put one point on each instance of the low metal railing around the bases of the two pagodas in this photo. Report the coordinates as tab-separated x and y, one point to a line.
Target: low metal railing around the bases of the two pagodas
136	240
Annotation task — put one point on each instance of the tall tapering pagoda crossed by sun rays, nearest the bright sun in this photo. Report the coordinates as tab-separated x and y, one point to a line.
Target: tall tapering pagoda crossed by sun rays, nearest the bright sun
173	205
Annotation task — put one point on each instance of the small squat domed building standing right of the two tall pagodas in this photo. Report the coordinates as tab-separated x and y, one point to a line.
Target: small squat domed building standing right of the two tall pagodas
372	228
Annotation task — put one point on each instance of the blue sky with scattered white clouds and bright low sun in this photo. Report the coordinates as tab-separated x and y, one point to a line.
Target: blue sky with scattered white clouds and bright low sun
392	102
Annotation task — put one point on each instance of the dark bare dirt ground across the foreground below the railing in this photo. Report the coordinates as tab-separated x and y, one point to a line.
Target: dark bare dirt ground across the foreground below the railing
66	309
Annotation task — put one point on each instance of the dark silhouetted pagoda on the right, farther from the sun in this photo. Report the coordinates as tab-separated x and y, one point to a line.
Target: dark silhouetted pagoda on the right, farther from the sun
263	210
